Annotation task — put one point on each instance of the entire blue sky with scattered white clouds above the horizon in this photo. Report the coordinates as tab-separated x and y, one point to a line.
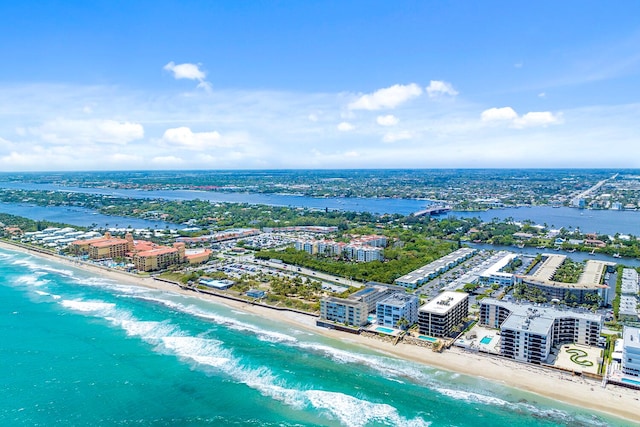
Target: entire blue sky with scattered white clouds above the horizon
318	84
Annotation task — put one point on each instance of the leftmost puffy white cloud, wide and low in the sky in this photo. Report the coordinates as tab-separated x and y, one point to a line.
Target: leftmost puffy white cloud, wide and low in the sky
66	131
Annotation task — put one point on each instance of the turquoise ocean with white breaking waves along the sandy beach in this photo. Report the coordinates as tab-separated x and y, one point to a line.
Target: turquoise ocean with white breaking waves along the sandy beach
83	350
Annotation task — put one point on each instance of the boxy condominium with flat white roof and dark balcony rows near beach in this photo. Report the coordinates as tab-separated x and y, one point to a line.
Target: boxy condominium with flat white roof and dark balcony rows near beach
442	315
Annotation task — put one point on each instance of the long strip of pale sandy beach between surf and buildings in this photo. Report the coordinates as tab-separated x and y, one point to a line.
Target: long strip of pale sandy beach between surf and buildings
564	387
